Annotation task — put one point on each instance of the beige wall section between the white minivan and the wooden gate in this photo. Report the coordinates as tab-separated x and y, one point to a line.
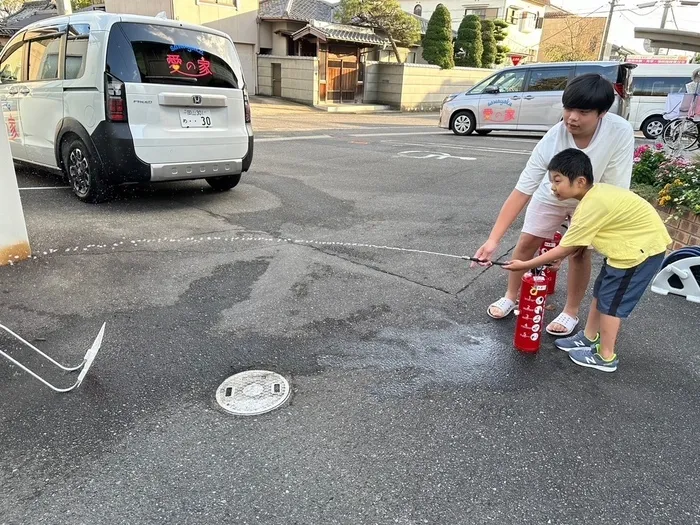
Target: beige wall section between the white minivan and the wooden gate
299	77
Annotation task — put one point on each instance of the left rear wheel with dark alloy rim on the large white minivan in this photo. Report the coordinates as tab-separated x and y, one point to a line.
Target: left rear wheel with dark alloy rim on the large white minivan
84	172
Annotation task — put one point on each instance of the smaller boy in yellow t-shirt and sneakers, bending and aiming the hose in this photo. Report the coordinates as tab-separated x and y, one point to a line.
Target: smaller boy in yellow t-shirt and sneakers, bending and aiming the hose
623	227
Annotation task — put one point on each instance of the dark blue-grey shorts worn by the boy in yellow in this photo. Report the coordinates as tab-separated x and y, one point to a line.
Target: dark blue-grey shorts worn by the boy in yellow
618	291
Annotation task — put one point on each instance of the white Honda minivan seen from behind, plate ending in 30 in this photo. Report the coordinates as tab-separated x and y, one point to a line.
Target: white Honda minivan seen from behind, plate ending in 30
116	99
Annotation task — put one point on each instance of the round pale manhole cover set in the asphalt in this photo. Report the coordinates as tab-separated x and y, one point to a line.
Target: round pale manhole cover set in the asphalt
252	392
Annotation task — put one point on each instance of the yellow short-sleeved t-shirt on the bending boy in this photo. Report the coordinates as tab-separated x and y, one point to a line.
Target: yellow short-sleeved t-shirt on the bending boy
619	224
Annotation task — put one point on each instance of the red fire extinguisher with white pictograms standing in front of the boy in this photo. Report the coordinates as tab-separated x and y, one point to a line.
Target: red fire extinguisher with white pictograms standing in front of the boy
530	321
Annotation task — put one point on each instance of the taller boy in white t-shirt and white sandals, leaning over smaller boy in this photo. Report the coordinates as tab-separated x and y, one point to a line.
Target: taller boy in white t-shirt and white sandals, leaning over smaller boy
608	140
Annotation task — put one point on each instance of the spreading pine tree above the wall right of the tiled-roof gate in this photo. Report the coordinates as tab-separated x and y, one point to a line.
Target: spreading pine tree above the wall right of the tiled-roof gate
385	15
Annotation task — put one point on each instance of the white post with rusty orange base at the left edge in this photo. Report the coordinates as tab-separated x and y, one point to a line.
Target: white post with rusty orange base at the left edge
14	242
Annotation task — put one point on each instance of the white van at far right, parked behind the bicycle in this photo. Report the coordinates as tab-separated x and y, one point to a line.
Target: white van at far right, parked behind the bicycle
651	84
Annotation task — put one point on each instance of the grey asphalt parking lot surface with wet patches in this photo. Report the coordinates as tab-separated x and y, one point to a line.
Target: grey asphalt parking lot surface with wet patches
334	263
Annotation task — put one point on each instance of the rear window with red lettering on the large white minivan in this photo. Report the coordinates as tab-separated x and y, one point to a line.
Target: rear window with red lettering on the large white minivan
153	54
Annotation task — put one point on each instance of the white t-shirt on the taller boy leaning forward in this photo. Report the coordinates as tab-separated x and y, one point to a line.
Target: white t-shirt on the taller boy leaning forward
611	152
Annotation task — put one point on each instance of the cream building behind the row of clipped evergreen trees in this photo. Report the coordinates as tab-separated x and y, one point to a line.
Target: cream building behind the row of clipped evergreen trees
524	18
